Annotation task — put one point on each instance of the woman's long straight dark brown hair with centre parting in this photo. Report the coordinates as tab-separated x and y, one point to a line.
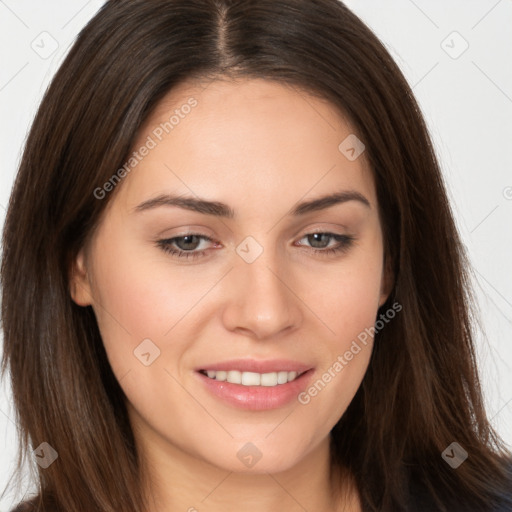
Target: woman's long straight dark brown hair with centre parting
421	391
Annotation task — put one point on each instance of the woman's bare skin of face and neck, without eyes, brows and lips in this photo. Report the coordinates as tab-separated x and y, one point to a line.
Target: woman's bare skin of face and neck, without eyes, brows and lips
260	147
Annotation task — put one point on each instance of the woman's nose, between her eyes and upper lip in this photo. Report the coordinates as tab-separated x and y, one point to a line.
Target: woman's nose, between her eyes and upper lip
261	301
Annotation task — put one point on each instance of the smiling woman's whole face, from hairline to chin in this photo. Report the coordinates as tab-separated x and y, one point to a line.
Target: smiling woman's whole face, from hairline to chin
215	255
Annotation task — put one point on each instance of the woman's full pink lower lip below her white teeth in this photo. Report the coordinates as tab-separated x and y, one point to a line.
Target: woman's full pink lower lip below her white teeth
257	398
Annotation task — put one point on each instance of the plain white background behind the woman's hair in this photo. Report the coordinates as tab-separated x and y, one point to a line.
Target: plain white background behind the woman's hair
467	102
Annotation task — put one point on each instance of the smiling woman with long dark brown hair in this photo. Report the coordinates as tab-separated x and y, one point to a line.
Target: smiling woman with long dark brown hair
195	169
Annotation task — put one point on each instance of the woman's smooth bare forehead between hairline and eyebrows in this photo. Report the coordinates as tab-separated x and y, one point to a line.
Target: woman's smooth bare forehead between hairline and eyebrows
237	140
